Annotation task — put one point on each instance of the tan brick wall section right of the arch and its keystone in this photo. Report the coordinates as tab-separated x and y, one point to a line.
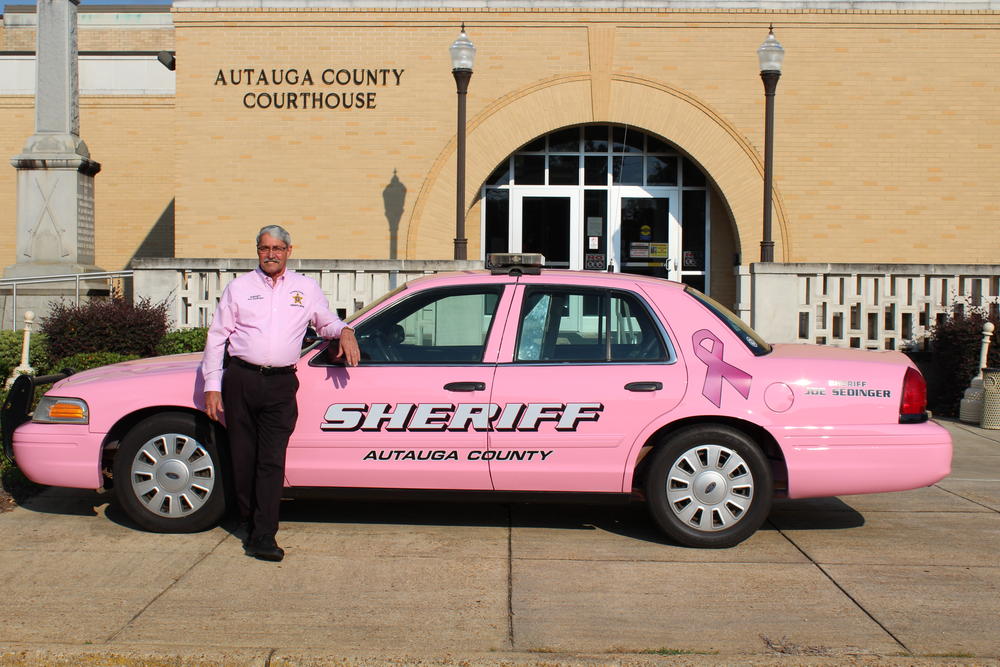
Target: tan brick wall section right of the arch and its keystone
884	135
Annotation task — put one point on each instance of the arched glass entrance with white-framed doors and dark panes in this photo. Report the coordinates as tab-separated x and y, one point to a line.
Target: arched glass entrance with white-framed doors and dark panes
602	197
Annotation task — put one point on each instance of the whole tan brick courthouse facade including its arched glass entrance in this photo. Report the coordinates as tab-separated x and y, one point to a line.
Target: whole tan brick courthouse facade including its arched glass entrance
337	120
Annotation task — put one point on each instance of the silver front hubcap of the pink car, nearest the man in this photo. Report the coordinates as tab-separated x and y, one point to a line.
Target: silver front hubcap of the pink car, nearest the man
173	475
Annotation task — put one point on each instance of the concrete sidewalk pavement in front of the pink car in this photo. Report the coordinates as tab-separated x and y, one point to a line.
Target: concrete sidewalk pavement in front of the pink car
898	578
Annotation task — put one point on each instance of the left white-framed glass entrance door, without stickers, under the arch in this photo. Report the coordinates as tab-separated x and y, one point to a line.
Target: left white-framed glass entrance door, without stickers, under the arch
548	224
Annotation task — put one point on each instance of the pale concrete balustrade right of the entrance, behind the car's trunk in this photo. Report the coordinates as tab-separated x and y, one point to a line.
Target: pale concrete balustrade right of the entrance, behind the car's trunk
872	306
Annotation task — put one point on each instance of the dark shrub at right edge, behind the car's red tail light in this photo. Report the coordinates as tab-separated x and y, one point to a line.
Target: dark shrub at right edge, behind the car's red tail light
956	343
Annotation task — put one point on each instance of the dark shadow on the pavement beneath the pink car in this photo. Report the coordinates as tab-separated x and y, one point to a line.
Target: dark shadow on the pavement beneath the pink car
628	518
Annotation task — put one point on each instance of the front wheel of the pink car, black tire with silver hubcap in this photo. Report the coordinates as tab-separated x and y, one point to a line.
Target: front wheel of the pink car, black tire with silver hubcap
169	475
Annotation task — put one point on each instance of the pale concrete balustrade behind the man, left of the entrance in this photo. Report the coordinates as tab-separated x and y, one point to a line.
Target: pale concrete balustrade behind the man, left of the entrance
192	287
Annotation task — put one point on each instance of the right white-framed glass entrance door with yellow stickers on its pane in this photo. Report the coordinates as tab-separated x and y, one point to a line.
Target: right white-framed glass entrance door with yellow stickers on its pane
648	234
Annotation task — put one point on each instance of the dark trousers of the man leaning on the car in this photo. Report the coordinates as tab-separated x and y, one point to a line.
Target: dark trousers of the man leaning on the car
260	413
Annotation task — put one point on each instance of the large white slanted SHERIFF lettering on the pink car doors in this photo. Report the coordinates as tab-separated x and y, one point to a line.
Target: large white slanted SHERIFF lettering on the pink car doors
461	417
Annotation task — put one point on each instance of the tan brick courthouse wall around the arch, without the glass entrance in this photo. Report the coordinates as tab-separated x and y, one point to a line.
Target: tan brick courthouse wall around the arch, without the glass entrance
884	146
